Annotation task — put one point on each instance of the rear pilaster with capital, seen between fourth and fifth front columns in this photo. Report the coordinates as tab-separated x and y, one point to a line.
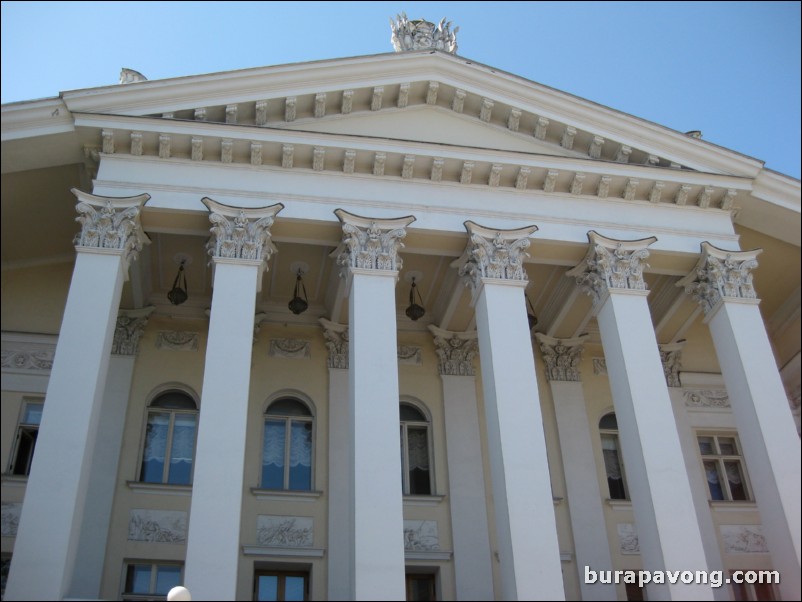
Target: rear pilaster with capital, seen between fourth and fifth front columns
591	546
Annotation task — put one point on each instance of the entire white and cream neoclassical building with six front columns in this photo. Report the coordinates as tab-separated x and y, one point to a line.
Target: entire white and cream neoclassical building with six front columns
400	326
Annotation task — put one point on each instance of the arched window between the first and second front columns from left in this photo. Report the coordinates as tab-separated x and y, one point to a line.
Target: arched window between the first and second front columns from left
170	439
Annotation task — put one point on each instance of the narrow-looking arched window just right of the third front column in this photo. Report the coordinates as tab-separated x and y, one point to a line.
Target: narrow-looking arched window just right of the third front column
415	458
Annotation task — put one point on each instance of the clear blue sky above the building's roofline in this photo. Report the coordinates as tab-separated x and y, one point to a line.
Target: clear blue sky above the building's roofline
729	69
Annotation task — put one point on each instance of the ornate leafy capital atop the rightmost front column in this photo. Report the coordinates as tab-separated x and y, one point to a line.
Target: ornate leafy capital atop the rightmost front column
721	275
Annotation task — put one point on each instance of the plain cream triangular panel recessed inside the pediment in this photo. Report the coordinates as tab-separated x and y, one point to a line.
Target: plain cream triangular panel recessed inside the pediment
432	125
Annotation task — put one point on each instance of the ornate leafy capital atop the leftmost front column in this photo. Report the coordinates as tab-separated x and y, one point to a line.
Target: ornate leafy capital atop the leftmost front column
111	224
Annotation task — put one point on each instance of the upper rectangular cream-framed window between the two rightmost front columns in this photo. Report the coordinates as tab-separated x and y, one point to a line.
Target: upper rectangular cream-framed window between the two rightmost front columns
723	467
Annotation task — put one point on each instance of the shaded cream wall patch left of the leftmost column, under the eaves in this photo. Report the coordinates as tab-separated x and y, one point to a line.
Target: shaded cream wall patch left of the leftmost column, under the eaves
33	298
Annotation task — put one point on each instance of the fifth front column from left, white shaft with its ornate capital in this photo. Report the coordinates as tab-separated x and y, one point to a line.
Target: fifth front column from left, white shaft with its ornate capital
669	536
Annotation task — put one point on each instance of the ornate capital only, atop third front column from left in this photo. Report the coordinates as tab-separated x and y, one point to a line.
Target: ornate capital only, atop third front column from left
370	243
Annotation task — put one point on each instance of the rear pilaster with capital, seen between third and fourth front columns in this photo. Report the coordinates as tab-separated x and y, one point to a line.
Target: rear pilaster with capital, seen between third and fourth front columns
466	481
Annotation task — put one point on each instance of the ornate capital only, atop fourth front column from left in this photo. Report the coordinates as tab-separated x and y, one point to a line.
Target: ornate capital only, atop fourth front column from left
493	253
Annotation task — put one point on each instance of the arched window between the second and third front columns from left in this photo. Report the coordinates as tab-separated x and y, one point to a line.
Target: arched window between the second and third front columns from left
287	449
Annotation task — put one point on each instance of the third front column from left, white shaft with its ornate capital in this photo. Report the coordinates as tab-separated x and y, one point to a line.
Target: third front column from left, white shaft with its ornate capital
369	256
